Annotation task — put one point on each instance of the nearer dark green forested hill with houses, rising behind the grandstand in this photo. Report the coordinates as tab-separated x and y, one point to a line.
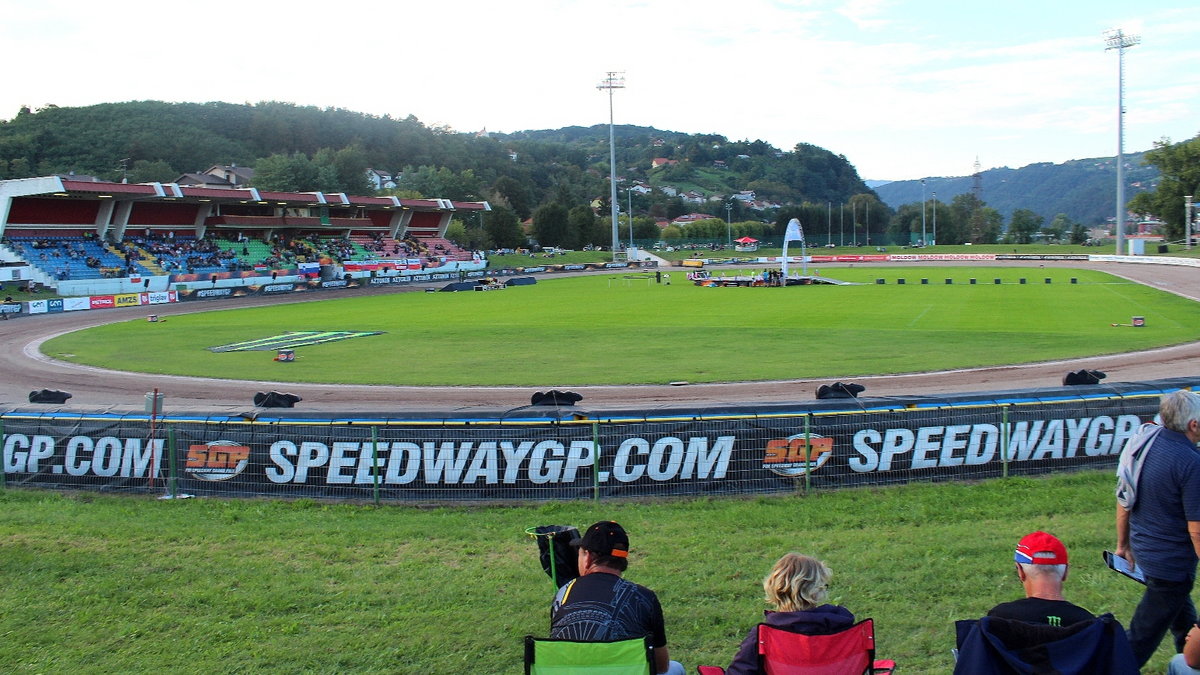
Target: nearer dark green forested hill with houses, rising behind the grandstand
158	141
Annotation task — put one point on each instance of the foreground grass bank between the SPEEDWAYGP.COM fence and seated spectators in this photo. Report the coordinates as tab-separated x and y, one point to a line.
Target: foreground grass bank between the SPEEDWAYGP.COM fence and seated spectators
107	584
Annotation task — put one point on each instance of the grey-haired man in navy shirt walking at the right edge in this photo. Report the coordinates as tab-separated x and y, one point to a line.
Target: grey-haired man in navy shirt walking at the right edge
1159	523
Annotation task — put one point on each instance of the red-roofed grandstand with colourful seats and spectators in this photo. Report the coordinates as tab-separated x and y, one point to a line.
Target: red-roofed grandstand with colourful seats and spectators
71	229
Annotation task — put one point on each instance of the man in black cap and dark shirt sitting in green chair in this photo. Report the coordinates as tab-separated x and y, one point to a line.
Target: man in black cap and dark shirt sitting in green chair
601	606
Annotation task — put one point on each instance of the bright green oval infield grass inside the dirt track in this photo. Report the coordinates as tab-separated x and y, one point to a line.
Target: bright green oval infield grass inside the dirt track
625	328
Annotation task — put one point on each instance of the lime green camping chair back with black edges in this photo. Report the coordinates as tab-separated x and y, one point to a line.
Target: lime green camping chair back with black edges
547	656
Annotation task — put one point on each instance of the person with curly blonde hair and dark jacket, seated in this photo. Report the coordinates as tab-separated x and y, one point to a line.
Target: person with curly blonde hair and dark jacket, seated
797	587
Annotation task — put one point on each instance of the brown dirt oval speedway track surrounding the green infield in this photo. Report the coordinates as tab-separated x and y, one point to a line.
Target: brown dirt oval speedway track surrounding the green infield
23	369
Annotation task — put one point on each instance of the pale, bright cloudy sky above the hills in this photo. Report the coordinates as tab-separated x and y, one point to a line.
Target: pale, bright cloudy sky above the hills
903	89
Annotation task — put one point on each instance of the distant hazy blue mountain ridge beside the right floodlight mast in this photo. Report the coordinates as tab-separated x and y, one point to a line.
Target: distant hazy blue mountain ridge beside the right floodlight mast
1084	190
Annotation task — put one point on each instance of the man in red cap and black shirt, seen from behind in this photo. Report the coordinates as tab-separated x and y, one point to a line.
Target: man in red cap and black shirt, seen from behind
1042	568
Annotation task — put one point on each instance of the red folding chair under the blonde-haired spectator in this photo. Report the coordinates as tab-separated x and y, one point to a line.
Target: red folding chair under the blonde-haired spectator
849	653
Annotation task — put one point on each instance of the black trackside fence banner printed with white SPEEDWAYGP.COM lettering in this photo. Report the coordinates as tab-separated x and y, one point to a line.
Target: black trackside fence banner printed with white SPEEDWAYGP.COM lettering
572	453
